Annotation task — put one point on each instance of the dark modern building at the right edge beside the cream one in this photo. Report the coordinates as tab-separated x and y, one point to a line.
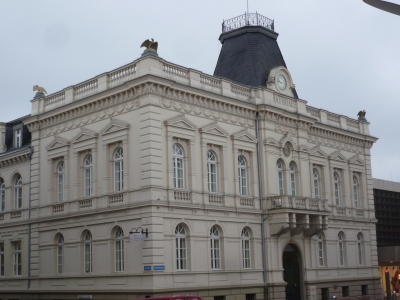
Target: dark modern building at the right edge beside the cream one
387	207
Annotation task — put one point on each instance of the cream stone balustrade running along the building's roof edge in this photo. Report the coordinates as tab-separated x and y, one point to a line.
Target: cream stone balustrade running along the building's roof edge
194	78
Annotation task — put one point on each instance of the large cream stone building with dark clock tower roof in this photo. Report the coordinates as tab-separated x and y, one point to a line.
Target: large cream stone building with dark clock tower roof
211	166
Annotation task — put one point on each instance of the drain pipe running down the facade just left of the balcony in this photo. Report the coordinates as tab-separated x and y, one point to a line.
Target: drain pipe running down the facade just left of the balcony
263	218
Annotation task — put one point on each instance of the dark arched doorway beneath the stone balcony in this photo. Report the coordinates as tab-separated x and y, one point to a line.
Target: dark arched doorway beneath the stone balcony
292	272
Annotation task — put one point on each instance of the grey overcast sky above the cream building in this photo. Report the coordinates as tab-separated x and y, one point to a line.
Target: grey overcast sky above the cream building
343	54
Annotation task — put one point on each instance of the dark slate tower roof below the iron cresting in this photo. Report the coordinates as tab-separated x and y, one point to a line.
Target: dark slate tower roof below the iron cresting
248	54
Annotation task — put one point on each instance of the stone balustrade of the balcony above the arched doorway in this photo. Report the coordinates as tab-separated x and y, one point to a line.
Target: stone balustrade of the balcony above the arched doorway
295	202
